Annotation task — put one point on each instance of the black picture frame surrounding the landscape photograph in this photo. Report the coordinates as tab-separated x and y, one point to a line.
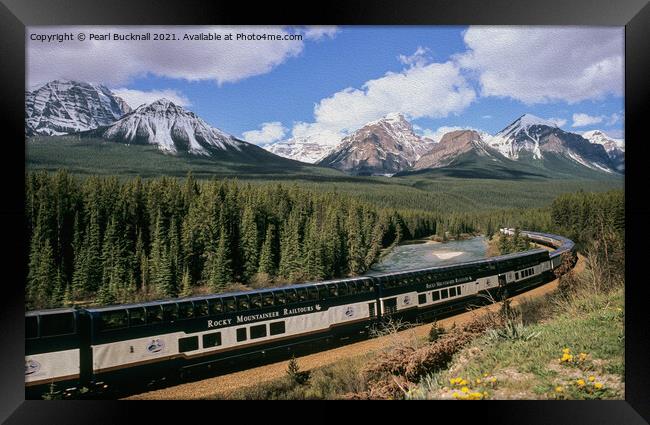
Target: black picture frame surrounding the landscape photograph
15	15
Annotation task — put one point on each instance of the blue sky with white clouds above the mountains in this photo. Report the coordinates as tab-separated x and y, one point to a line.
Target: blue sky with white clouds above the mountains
335	79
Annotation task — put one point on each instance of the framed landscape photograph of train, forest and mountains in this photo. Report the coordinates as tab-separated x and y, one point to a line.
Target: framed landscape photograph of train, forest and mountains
325	212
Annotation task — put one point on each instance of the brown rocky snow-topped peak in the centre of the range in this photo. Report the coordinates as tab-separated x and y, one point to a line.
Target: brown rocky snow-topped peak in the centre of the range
386	146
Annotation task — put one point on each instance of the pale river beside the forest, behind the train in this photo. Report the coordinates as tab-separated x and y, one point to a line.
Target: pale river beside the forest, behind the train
420	254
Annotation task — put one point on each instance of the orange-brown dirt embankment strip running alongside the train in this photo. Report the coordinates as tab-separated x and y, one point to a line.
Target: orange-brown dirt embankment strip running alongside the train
222	386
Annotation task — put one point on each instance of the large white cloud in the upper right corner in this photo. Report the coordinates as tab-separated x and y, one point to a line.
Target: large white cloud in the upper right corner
544	64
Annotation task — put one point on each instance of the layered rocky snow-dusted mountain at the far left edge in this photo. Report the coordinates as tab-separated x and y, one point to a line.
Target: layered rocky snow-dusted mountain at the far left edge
64	106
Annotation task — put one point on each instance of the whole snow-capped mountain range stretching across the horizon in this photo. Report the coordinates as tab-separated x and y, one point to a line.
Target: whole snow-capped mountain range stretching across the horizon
386	146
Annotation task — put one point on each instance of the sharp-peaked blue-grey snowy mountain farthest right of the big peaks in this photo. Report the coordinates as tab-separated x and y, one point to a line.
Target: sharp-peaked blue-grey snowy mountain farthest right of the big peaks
536	139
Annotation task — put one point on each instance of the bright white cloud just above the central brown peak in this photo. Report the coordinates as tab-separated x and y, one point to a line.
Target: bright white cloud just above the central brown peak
434	91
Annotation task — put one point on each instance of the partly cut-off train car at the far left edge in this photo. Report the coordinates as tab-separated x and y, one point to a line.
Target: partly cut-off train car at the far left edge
52	347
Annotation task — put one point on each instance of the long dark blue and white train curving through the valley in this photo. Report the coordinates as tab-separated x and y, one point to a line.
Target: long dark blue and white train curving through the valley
74	348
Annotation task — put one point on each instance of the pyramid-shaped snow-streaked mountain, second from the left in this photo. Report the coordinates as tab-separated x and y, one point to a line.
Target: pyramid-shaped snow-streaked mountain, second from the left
170	128
